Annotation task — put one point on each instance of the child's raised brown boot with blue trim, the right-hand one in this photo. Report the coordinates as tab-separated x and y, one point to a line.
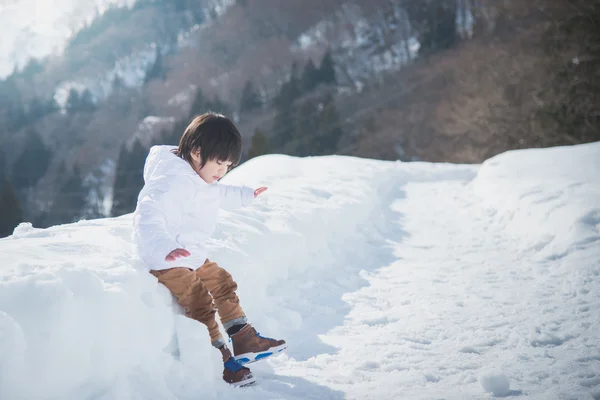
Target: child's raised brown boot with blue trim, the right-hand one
249	346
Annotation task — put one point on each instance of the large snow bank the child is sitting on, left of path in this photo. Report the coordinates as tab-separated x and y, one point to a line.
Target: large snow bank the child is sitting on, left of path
78	320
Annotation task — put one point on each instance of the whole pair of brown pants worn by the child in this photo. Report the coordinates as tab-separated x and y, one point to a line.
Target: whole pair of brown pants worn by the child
199	291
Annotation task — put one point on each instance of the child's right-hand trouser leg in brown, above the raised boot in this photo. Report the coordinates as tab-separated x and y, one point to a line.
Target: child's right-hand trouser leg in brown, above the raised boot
222	287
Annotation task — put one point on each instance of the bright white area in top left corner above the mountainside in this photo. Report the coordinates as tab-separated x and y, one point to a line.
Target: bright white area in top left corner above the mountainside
37	28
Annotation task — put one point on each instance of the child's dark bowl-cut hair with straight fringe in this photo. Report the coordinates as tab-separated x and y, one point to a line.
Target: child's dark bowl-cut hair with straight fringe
216	137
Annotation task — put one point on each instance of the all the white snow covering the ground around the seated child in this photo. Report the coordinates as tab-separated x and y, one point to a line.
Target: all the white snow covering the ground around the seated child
389	280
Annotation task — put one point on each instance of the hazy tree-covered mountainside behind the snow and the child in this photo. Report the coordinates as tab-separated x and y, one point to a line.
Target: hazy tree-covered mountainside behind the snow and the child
487	76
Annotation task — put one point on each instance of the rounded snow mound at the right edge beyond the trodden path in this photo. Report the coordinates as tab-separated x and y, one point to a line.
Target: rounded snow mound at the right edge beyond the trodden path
547	198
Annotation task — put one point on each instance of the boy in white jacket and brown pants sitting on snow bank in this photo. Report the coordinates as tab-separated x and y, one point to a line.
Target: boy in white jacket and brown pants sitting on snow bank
176	212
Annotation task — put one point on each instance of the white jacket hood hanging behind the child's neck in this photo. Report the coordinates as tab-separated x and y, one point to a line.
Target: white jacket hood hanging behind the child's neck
161	162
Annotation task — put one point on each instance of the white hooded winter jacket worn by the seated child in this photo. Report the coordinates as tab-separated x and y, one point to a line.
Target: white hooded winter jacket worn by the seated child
176	208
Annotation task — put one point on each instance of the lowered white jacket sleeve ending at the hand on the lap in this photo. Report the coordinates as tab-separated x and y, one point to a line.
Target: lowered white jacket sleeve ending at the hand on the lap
150	223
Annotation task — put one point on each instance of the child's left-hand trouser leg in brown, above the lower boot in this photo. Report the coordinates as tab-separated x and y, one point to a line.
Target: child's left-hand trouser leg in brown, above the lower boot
194	297
